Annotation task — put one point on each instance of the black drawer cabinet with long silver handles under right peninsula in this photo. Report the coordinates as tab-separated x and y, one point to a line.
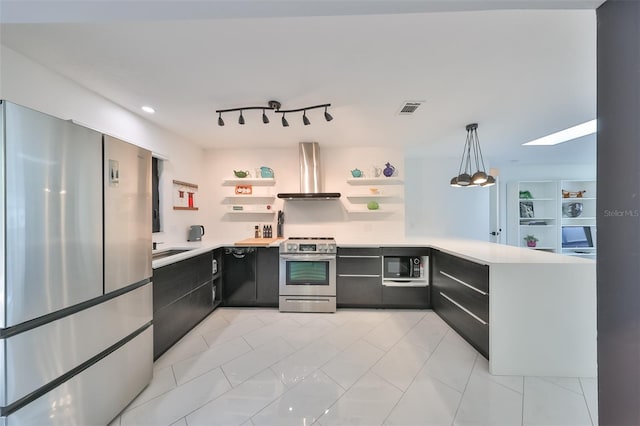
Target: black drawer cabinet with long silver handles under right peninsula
460	296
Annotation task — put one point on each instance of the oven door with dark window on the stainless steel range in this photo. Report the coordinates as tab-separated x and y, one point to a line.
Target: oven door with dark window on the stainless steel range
307	275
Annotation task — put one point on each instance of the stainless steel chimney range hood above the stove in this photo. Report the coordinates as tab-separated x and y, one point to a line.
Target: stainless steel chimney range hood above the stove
310	176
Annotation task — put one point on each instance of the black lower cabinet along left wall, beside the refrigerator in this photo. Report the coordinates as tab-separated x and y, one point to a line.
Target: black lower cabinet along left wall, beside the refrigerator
183	294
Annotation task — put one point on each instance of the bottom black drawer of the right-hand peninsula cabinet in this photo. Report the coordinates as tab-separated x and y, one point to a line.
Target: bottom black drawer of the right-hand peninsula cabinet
470	328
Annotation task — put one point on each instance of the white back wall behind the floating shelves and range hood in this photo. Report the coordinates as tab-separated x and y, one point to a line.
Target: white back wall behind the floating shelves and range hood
304	218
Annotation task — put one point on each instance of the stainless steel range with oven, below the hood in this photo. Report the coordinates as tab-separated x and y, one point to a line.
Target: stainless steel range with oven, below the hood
308	274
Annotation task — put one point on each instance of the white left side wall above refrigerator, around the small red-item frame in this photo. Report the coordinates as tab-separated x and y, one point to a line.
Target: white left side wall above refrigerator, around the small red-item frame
27	83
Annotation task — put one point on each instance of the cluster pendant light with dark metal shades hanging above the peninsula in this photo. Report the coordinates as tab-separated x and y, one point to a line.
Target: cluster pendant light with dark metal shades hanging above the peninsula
464	178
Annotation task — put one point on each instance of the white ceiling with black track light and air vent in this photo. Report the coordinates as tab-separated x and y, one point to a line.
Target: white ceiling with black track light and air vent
519	73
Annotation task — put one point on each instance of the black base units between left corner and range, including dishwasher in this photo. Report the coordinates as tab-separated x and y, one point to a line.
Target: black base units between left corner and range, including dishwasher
250	276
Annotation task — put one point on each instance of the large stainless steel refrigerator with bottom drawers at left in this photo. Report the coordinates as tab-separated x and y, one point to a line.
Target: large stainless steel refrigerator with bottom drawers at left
75	281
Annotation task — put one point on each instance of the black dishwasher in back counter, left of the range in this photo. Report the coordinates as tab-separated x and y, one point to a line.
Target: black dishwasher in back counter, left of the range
239	276
